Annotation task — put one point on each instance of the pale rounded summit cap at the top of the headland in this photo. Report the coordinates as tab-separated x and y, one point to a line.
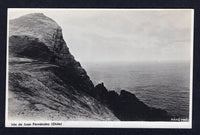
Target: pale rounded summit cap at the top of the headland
36	25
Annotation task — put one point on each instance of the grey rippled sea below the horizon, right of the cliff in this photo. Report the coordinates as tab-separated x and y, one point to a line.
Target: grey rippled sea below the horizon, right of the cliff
164	85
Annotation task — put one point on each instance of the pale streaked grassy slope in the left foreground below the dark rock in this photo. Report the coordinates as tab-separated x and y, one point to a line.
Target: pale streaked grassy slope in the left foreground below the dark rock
37	93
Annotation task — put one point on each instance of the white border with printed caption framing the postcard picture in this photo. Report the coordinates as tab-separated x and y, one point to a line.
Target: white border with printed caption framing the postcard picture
105	124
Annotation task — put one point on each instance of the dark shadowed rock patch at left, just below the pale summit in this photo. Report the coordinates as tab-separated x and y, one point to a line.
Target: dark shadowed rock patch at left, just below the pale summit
30	47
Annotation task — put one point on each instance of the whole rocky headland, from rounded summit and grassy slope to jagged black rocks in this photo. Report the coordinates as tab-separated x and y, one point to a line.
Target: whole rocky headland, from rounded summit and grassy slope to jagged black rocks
46	82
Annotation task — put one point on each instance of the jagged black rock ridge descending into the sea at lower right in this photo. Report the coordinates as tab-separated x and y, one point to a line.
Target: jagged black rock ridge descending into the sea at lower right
126	106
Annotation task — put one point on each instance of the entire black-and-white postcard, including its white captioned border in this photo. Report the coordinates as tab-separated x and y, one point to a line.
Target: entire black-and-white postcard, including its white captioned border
114	68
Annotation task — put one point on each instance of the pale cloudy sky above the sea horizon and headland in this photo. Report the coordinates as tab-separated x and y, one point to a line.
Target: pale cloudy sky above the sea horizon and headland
105	35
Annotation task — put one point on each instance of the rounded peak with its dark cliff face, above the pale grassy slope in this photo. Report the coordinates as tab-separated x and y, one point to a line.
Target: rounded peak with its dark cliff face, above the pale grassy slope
47	33
